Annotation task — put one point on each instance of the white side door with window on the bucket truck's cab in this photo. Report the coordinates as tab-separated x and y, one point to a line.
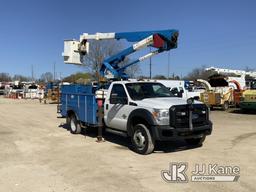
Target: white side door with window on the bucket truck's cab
116	108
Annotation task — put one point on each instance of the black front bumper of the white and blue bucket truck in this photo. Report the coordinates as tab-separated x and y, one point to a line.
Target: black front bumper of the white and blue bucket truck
167	133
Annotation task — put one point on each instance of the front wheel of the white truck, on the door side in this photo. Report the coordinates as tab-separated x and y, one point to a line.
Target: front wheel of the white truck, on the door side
142	140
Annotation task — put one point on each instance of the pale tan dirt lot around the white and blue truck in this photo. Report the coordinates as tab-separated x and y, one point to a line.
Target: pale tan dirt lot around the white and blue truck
38	154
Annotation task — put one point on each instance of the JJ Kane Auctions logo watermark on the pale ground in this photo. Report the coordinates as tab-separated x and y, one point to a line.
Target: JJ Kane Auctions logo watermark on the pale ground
178	173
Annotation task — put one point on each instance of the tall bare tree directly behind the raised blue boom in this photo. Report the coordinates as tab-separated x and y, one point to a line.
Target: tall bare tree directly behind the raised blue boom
99	50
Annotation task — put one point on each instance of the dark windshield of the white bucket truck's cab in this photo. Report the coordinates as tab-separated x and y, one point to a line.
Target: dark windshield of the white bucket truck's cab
139	91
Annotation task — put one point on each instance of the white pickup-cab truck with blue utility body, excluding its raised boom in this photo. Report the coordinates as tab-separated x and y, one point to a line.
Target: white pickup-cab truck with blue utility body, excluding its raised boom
144	111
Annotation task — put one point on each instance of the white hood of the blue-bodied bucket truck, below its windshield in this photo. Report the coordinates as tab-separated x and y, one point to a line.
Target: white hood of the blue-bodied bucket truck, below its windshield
162	103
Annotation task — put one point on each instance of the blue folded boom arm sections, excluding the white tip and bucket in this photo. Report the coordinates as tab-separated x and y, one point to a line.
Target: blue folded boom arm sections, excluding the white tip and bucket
161	40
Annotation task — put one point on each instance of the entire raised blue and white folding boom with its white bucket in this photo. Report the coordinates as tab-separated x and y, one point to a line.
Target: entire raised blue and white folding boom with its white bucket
163	40
